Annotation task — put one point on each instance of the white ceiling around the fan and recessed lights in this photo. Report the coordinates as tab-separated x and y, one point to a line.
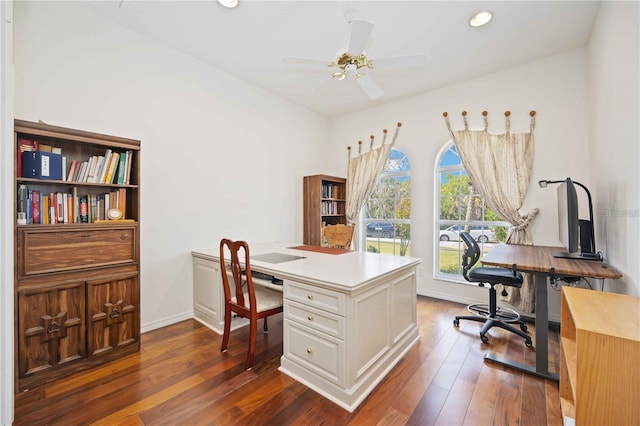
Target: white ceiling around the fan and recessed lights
251	40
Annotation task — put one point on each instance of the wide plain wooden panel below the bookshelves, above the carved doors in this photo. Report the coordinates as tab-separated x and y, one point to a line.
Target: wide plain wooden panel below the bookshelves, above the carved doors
45	250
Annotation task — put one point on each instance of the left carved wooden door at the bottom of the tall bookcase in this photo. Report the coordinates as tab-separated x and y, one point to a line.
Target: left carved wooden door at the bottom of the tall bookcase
51	328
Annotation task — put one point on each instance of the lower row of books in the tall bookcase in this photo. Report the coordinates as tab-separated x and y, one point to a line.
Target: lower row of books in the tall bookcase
36	207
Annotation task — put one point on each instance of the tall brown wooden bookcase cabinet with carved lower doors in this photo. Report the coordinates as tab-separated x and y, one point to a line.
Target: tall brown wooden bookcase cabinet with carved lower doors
77	285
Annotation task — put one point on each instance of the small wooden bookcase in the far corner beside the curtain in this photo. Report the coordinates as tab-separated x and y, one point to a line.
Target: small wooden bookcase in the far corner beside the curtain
324	201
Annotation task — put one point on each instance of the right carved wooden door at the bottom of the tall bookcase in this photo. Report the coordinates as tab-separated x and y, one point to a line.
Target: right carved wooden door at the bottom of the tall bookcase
112	312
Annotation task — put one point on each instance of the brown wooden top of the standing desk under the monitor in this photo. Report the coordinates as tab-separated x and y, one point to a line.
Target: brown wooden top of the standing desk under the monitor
540	259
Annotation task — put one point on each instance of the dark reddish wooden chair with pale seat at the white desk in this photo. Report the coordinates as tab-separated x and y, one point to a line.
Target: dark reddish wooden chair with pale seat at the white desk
242	297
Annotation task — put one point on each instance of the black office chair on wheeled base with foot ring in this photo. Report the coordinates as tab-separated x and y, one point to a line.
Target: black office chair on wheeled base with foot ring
491	315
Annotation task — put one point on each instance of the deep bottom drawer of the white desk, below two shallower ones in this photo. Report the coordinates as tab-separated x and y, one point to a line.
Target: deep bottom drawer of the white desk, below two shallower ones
317	352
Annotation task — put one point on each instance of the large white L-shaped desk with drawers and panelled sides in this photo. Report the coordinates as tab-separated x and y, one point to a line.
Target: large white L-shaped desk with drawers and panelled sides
348	318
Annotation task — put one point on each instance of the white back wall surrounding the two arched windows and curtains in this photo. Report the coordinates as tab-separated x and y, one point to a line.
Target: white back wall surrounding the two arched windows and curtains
556	87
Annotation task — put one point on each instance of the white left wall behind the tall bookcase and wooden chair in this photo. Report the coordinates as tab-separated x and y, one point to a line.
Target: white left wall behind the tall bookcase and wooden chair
219	158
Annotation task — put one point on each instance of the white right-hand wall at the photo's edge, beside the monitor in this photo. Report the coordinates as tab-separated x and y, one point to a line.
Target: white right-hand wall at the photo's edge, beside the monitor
614	72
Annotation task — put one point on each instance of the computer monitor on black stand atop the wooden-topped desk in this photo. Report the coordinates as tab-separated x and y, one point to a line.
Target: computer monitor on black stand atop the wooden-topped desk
576	234
